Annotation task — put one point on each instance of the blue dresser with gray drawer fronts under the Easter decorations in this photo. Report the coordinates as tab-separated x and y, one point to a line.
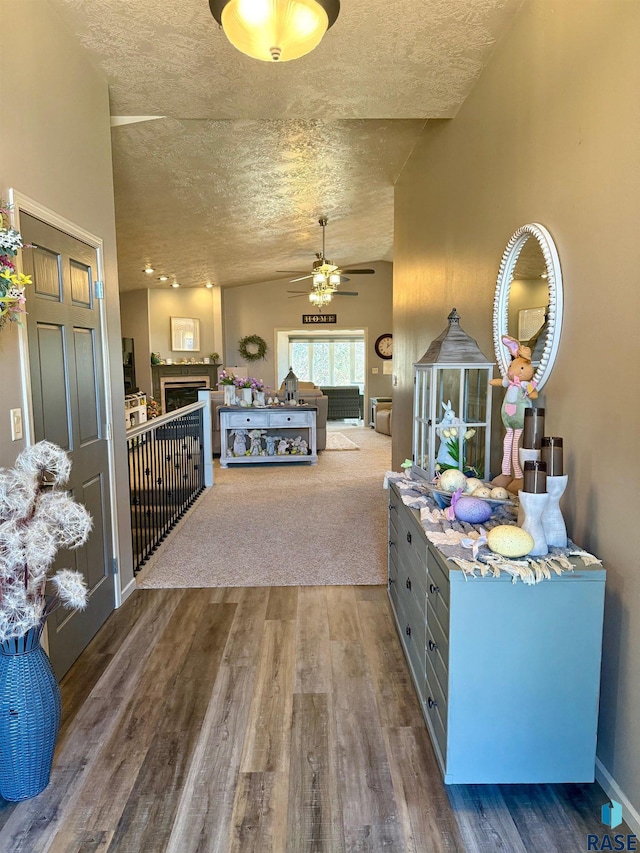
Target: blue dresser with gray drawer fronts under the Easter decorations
507	674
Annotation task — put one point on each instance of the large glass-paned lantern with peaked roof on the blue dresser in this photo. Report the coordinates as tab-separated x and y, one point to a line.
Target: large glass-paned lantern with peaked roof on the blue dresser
452	406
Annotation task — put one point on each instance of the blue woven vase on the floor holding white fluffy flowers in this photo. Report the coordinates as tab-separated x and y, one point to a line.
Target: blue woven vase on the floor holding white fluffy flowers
29	716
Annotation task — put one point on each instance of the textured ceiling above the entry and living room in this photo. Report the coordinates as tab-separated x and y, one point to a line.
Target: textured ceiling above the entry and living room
250	154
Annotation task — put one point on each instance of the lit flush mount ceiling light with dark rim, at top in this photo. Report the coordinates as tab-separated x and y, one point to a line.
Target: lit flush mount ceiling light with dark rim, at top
275	30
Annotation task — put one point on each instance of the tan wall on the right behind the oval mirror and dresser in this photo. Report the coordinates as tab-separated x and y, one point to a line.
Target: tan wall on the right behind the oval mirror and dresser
549	134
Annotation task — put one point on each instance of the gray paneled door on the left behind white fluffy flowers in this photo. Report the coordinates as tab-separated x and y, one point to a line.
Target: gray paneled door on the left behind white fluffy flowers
68	396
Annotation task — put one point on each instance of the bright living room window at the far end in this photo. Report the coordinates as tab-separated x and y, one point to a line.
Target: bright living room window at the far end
328	361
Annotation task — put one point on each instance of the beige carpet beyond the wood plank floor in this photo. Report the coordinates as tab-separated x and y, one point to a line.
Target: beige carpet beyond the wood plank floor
284	525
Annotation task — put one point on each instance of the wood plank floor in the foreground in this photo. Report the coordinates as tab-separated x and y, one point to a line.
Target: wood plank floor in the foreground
258	719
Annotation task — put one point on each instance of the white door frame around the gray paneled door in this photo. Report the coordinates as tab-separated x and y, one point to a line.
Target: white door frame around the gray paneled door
20	202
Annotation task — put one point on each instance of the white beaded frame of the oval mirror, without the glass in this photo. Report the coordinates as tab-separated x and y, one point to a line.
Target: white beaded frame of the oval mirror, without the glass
501	301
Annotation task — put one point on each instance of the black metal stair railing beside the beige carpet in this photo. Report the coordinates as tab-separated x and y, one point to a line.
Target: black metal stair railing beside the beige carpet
166	475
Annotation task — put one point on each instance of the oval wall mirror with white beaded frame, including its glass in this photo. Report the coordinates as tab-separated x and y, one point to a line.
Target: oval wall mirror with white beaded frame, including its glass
528	300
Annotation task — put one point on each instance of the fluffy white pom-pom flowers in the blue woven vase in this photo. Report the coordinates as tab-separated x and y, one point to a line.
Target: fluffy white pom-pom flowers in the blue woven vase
37	516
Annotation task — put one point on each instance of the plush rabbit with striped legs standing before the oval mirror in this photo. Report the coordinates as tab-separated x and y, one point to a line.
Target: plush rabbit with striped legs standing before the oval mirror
521	390
